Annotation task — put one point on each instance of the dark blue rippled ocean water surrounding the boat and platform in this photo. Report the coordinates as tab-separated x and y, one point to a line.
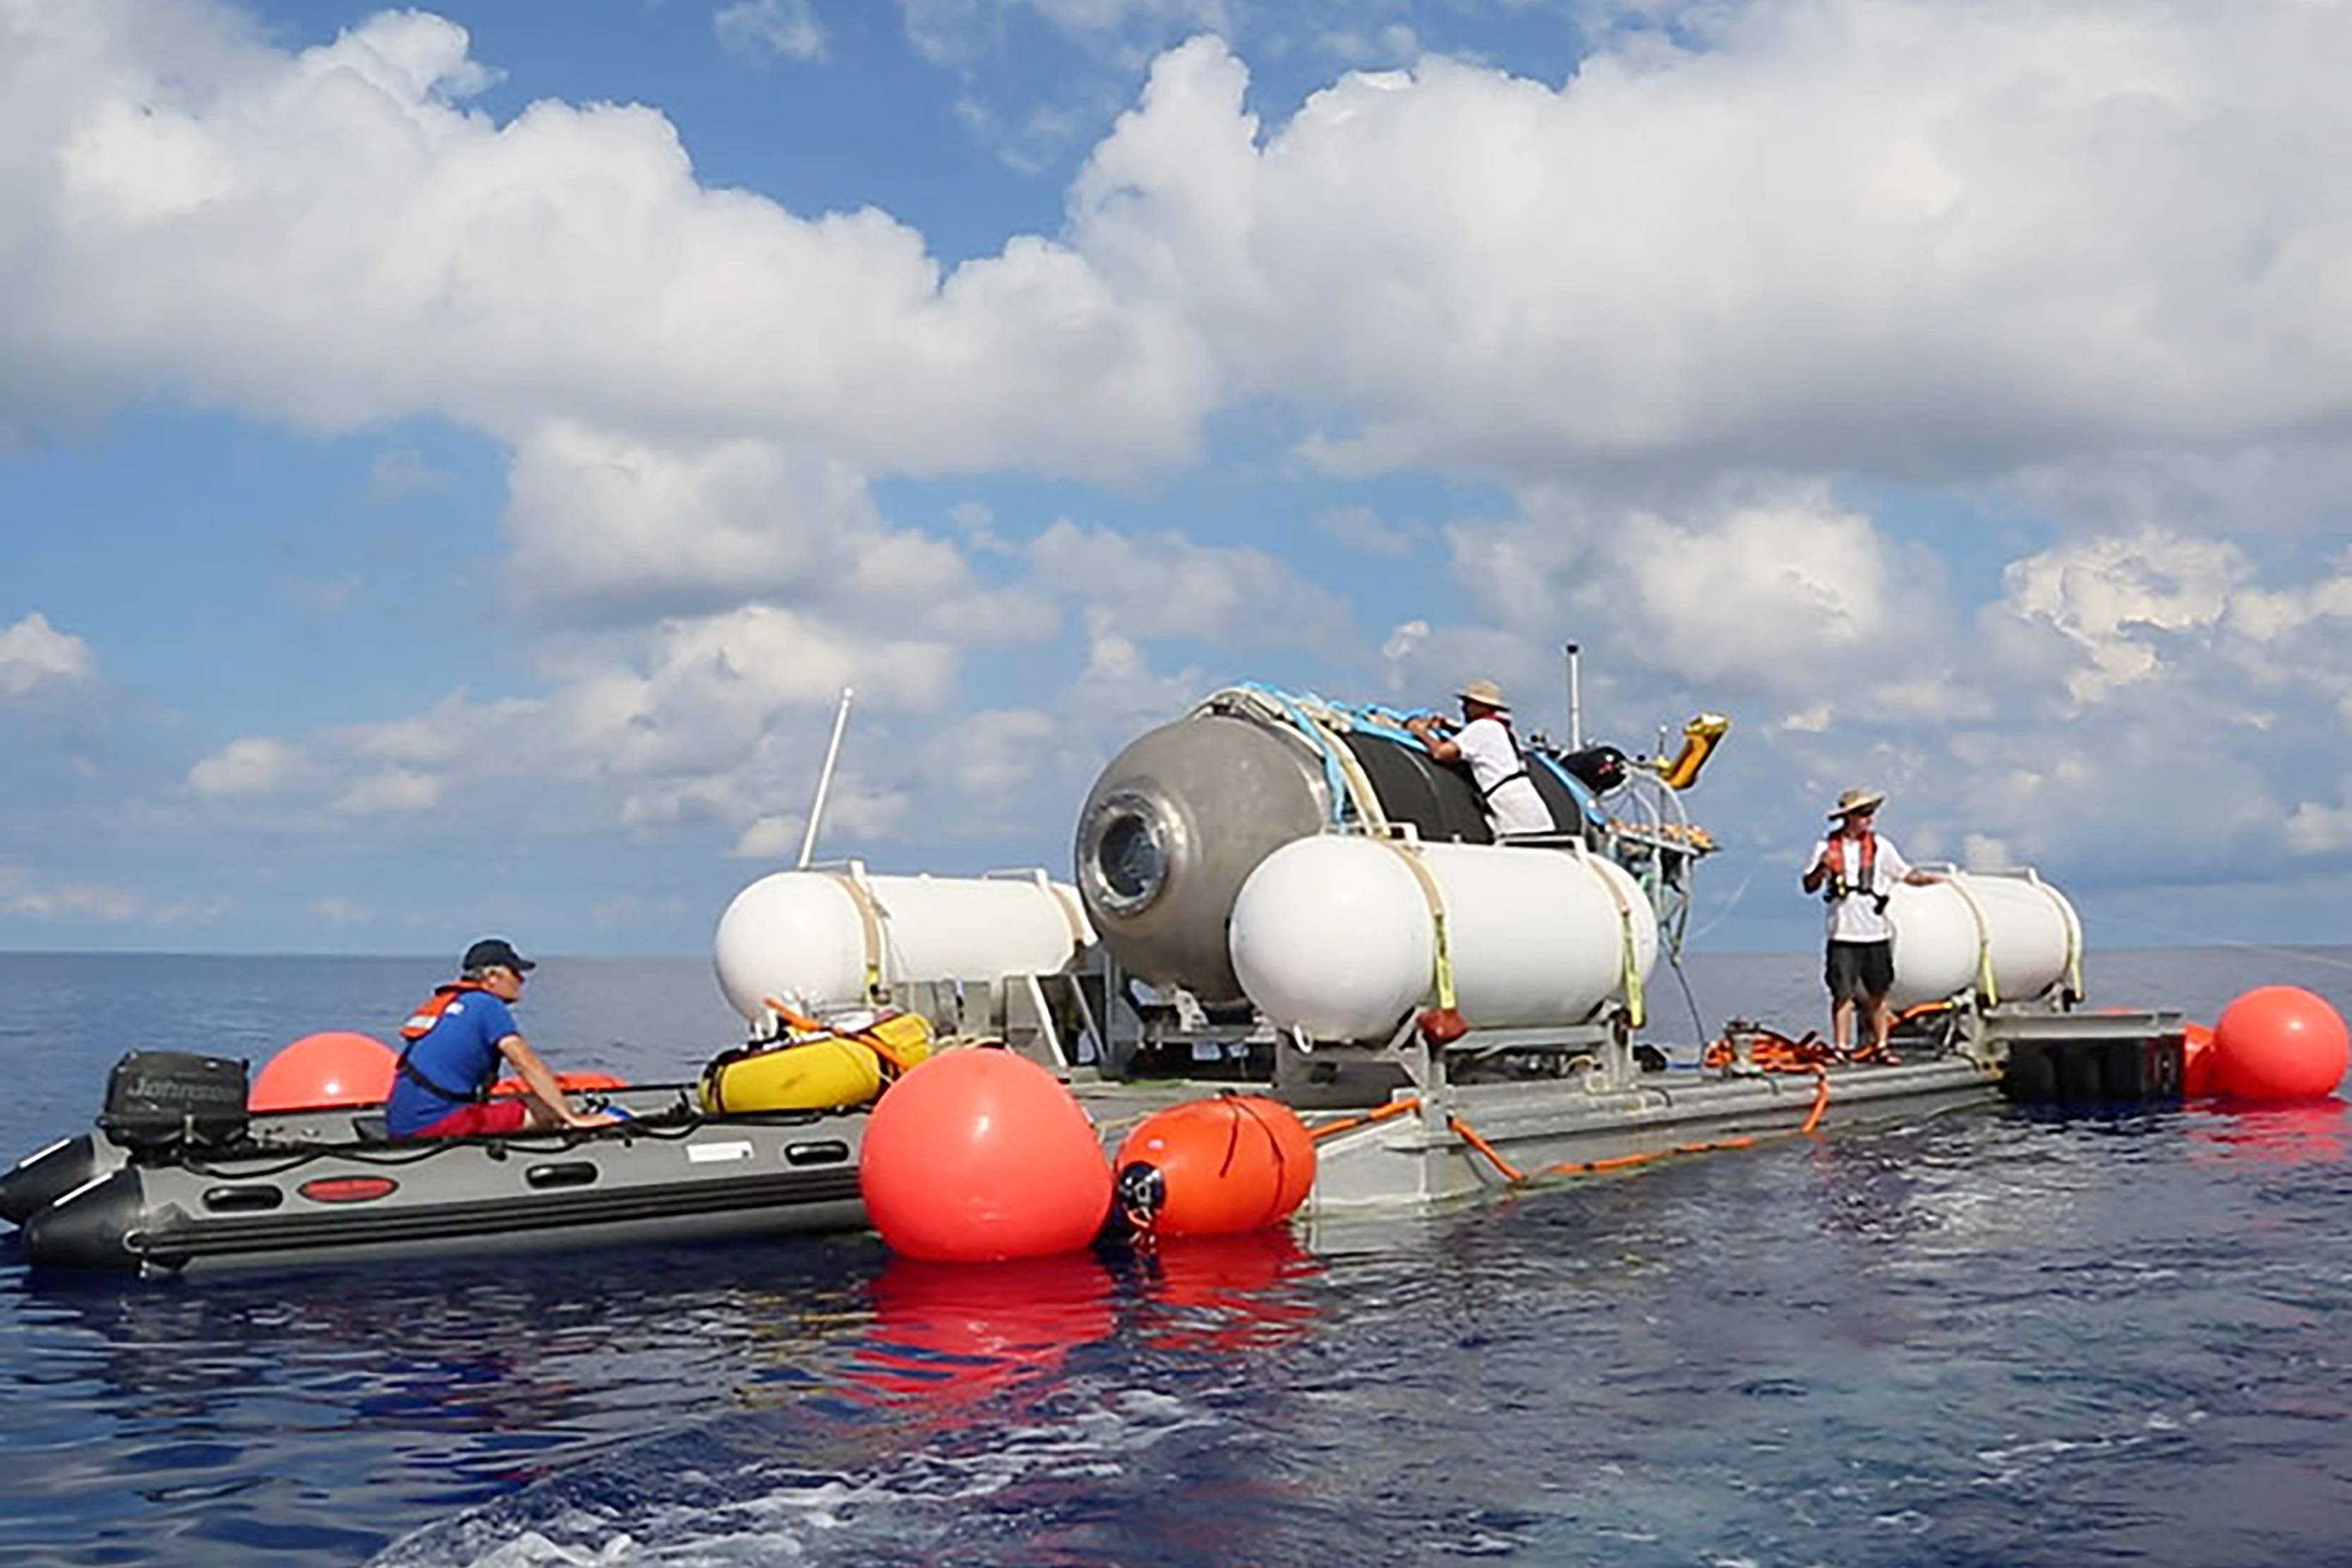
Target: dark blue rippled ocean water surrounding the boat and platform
1982	1339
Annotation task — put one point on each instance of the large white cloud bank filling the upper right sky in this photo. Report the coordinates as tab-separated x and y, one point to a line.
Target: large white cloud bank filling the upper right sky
1885	236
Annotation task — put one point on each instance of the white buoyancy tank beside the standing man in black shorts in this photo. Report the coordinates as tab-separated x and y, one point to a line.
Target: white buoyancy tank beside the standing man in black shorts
2010	930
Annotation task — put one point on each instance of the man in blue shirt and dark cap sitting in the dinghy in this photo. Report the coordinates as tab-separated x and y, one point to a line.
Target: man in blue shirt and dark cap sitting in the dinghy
455	1047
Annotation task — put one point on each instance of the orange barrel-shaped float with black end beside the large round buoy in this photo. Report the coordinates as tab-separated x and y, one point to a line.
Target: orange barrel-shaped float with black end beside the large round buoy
1215	1167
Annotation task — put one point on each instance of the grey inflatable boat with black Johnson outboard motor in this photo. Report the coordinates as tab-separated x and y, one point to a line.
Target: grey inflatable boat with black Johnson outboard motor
206	1186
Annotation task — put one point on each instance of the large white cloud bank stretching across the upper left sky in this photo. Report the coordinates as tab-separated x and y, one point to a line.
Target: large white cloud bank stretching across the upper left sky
333	239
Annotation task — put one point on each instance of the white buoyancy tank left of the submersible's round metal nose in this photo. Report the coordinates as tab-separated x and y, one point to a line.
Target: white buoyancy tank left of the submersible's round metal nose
822	939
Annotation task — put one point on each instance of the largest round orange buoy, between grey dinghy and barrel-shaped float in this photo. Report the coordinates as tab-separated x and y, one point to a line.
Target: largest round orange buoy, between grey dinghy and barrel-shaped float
982	1155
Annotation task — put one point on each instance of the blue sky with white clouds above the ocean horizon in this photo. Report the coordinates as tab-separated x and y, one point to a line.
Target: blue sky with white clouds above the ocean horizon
455	460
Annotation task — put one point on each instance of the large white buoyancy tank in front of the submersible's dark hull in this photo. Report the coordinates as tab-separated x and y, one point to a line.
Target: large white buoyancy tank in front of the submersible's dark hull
1335	937
